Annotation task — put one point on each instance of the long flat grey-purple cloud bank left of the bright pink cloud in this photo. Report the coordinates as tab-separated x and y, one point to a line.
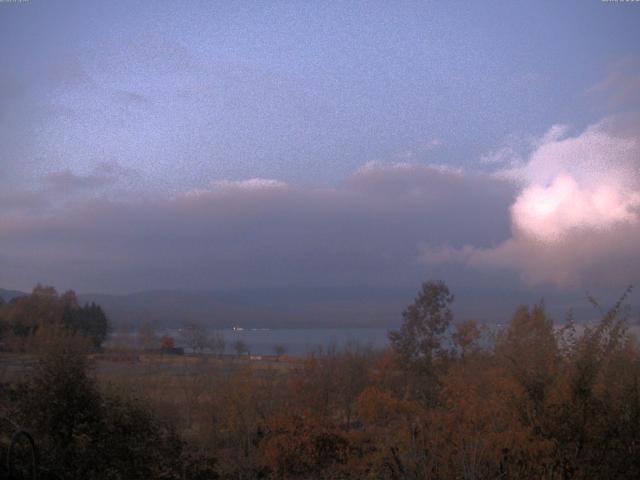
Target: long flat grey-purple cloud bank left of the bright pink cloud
257	232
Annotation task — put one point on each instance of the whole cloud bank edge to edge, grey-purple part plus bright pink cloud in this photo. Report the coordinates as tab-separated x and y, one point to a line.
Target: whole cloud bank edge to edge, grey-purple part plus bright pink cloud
567	214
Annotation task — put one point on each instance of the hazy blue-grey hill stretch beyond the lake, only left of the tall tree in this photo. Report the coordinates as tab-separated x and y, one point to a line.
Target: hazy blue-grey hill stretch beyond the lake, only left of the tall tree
273	308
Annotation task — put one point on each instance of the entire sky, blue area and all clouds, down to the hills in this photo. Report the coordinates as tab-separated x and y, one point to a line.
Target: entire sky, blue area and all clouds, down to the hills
205	145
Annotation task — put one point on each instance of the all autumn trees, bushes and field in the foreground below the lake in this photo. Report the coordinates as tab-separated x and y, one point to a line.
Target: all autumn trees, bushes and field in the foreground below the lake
447	401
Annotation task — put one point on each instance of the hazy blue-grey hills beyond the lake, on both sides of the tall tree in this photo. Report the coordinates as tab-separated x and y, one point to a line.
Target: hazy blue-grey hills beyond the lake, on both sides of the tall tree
324	307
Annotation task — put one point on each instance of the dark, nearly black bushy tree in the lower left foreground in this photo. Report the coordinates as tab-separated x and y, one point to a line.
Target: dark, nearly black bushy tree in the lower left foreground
84	433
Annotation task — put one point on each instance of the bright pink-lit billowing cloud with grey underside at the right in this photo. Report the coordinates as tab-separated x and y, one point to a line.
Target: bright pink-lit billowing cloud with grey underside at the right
576	218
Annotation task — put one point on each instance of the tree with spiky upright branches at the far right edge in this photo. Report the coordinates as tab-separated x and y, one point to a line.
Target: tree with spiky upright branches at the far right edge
595	405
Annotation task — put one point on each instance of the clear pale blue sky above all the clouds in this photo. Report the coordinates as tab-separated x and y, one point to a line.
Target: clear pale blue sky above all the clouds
186	92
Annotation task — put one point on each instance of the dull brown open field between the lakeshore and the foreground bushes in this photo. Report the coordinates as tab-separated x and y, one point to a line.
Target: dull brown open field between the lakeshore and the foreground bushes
184	389
